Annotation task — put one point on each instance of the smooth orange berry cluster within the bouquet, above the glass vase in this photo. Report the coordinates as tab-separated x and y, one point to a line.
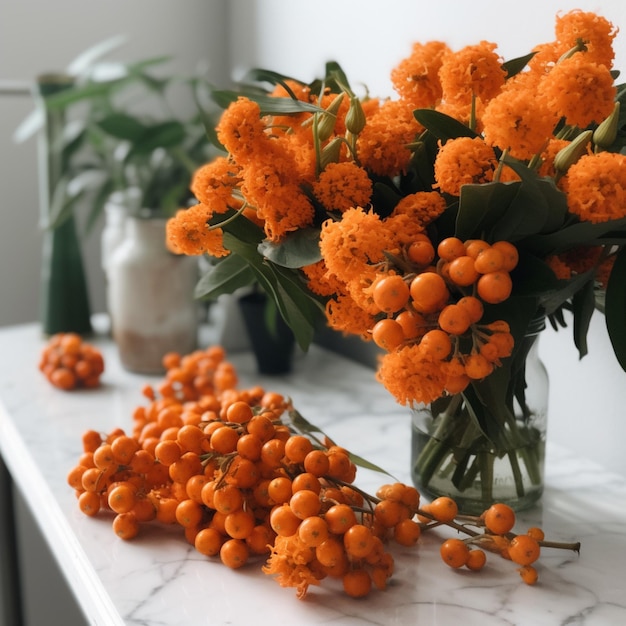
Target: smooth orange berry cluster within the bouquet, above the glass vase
435	298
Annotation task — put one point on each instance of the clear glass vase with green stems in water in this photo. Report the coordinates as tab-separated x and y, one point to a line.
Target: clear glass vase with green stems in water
487	444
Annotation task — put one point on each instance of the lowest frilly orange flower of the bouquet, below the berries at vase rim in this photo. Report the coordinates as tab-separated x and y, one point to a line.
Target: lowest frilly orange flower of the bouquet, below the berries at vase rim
412	376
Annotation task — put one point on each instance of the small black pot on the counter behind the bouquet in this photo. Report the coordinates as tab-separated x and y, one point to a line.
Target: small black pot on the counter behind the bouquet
272	341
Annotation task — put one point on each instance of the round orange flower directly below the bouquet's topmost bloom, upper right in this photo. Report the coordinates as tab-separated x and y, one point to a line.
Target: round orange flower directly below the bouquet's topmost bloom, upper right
580	91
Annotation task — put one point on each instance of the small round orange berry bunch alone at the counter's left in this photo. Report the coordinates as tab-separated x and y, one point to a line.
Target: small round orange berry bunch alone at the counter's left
69	362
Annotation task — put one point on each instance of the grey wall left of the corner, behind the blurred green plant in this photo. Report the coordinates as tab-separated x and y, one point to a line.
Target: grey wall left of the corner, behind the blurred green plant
38	36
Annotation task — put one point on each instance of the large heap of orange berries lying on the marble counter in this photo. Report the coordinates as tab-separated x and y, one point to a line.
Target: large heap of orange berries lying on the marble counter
245	477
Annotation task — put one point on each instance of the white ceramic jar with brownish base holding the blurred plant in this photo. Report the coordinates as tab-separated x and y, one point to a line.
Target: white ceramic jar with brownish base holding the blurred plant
150	297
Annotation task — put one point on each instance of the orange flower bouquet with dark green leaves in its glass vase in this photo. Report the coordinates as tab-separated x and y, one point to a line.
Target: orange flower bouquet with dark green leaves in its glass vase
445	225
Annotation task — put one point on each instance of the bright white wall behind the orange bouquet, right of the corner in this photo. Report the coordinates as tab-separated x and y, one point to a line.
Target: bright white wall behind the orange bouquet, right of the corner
368	37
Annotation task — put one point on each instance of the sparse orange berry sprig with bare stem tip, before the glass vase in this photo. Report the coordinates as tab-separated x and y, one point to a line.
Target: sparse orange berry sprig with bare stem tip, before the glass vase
495	535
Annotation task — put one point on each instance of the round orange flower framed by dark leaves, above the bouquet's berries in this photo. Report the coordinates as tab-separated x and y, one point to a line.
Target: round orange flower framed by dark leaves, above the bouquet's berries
464	161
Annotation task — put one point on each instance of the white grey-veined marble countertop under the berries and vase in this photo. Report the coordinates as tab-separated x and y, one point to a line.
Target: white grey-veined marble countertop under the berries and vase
158	579
